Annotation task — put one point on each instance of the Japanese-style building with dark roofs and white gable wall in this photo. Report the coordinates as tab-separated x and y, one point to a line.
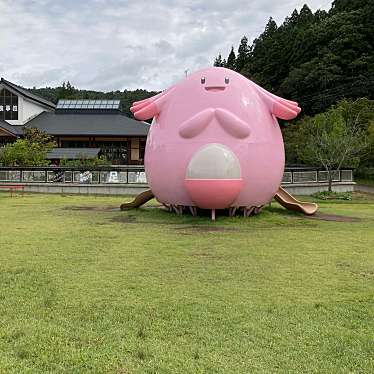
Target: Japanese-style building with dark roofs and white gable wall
76	125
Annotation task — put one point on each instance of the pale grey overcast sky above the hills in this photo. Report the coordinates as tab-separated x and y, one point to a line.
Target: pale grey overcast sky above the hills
124	44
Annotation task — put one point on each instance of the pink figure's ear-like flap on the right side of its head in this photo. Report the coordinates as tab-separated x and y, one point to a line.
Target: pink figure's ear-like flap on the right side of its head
281	108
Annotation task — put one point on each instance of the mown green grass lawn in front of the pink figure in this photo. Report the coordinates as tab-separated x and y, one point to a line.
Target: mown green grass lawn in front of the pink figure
86	289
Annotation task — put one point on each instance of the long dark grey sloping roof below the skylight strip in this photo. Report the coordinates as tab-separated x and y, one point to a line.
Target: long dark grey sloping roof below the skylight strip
89	124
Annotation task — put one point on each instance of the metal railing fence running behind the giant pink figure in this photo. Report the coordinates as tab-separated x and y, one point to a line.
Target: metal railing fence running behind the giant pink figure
136	175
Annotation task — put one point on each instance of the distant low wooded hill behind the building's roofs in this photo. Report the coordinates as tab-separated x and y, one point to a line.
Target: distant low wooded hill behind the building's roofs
67	91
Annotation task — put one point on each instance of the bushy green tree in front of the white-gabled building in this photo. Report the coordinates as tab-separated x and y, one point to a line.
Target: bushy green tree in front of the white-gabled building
30	151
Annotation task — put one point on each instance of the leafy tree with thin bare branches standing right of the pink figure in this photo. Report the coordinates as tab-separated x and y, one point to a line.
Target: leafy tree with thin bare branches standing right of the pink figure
332	140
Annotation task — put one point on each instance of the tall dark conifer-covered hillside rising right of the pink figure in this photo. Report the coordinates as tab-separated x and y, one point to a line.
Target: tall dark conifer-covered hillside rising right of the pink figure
315	59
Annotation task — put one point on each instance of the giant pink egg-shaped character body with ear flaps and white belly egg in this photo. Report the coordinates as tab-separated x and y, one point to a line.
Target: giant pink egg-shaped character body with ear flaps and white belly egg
215	141
